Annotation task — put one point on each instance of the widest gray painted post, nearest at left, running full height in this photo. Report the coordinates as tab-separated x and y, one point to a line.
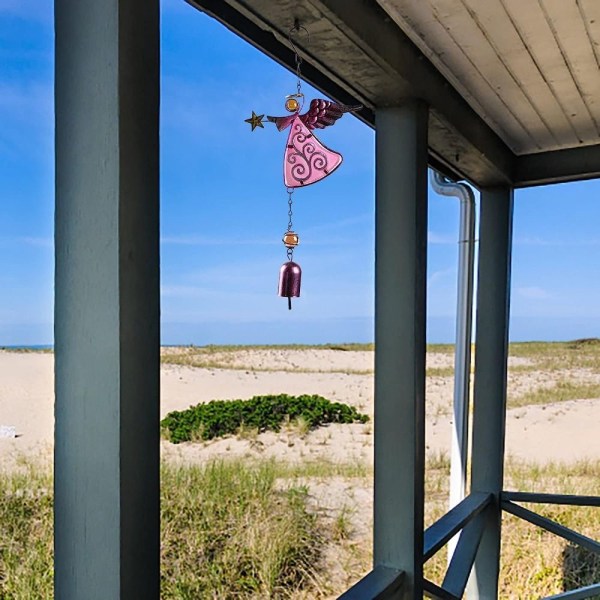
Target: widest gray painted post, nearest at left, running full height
107	300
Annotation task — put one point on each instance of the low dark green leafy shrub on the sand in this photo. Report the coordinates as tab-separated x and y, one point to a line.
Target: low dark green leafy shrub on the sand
222	417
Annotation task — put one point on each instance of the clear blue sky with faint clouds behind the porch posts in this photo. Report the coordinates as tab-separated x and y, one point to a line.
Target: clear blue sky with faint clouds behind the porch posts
224	207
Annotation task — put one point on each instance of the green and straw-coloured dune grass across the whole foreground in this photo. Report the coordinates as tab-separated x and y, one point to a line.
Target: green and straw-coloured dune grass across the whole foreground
249	530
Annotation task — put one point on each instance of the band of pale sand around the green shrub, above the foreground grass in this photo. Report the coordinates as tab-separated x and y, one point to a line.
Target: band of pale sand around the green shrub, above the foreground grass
557	431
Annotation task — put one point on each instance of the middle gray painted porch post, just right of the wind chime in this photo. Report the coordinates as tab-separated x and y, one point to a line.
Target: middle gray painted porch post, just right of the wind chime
400	284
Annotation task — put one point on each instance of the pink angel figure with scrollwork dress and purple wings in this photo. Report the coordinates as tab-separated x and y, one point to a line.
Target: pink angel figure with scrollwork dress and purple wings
306	159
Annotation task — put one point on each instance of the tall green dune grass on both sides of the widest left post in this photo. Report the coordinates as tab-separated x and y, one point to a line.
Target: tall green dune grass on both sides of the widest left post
227	531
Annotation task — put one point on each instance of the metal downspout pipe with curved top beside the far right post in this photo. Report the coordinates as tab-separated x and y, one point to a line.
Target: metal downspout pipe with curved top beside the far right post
464	324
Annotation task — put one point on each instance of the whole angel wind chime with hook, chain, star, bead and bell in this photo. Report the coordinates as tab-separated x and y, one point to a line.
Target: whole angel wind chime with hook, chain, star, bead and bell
306	160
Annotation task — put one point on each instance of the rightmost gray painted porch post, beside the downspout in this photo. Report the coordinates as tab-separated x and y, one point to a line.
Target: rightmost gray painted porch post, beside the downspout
491	354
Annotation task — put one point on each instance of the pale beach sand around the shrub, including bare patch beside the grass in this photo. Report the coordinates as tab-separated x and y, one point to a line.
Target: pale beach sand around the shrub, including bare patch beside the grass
560	432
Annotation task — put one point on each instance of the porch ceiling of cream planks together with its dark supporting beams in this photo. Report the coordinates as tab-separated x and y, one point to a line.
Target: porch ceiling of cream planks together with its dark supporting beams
513	88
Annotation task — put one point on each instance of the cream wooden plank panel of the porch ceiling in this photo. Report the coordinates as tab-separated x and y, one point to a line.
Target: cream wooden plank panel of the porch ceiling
529	69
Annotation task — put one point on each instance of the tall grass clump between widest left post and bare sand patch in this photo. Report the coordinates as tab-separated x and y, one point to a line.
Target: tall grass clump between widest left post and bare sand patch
229	532
